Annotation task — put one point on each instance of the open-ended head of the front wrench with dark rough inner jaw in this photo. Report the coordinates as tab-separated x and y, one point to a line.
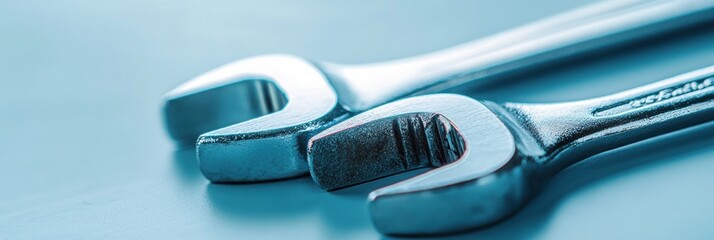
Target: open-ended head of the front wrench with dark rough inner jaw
477	180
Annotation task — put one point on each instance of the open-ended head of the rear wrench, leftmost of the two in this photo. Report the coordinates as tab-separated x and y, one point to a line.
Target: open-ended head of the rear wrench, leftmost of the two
257	115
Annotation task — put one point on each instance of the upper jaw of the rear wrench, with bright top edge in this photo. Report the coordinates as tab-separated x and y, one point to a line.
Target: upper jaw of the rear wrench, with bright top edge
230	94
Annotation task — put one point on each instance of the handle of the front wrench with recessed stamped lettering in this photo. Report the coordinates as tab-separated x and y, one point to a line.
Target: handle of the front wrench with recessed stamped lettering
572	131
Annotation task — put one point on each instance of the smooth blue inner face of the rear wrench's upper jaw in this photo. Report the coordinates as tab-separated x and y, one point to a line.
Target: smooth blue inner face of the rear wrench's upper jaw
190	112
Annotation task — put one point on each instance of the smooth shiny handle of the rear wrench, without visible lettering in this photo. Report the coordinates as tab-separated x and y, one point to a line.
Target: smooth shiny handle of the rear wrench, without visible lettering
607	23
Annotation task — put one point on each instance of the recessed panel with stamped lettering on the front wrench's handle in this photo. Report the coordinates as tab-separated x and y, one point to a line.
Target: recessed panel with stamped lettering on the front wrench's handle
666	94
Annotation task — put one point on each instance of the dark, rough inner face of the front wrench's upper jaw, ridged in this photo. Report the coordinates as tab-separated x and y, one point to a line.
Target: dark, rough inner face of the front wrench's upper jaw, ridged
382	147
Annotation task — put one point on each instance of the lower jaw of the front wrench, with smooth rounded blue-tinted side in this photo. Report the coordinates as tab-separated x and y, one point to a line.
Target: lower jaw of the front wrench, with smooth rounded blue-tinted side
417	207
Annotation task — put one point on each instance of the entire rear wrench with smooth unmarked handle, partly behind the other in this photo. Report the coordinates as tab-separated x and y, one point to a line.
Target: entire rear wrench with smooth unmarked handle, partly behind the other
280	101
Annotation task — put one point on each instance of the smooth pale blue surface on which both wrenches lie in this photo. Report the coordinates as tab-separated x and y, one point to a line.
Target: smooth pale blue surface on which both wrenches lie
83	154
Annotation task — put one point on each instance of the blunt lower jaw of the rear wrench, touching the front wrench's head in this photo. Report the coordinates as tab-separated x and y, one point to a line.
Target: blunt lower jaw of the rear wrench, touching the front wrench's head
238	153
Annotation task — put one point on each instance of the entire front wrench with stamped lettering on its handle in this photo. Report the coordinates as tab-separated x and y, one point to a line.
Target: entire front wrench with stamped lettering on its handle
490	158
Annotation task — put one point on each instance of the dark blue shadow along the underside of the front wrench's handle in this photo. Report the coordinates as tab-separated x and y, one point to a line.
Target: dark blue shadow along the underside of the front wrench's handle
531	220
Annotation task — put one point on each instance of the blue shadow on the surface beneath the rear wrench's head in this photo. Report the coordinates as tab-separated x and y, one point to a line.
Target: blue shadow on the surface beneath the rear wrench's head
289	199
